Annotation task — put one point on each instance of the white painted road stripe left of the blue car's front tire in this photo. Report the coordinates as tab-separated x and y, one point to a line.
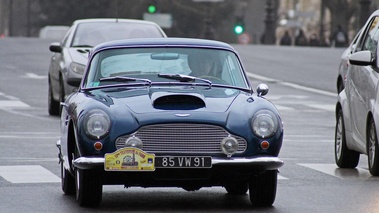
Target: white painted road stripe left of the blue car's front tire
28	174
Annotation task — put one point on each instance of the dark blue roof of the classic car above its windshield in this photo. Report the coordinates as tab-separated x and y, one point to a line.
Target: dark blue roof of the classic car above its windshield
164	42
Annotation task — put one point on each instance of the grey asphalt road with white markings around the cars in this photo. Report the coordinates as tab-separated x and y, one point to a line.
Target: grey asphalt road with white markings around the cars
301	82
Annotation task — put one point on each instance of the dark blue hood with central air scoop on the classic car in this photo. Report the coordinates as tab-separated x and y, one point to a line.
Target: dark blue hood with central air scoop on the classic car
166	99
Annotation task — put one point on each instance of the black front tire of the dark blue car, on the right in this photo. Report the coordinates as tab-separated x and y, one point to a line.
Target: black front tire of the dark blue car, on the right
262	188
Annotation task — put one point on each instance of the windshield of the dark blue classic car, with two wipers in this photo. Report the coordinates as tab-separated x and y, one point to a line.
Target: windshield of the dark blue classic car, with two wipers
130	65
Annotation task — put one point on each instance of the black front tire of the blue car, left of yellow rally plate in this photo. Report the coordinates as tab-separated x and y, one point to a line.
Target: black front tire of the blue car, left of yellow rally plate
89	188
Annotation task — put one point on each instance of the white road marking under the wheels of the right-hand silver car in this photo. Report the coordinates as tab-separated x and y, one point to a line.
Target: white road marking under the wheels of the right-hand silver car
333	170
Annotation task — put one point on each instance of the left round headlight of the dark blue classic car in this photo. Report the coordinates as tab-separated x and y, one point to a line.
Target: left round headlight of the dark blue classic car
97	124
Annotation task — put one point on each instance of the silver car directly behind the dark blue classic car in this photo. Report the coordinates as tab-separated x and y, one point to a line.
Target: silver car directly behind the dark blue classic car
70	56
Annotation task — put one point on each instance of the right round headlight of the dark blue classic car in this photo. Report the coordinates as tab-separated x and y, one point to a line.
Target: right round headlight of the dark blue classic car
264	123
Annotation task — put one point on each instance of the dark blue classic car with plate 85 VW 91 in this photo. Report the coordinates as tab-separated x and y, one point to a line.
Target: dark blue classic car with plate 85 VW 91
168	112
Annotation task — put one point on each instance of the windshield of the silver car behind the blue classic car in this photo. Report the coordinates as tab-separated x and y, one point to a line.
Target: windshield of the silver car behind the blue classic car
91	34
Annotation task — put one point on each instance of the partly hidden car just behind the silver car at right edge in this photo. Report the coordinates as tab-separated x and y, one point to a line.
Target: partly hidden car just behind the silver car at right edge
344	63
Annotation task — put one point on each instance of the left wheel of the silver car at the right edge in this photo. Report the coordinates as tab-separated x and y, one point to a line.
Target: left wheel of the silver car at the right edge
344	157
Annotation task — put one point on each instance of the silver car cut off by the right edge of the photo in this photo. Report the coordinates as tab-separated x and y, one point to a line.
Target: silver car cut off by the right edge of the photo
358	103
